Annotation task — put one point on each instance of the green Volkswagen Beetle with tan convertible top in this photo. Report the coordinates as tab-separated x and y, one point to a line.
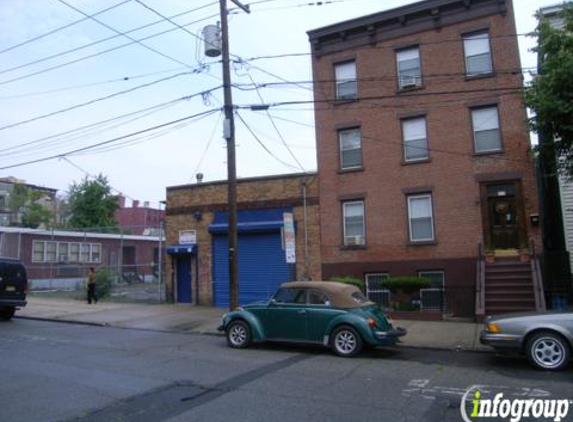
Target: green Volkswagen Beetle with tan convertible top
333	314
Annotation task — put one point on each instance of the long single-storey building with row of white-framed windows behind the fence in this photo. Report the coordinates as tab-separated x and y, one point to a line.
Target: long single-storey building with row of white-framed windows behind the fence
59	259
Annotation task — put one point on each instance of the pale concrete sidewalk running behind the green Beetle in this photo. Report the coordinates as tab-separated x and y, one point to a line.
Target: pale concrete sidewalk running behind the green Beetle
183	318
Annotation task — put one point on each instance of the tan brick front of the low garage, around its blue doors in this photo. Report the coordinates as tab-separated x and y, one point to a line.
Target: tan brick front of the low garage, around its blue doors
193	207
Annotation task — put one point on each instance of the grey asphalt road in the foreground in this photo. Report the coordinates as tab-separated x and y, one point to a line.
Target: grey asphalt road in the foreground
64	372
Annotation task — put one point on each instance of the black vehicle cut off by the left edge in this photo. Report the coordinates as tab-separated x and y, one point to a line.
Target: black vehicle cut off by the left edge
13	287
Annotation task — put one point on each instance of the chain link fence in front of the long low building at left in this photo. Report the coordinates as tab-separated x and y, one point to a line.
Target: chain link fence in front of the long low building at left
57	261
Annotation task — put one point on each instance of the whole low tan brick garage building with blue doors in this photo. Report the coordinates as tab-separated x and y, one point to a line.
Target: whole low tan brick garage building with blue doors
197	231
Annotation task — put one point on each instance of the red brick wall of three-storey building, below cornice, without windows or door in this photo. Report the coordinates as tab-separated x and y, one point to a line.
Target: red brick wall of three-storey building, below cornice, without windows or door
453	169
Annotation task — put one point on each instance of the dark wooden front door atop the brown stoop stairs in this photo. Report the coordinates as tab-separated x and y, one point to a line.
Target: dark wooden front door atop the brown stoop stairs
503	216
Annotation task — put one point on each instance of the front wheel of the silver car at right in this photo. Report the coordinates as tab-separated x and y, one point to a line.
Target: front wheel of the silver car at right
549	351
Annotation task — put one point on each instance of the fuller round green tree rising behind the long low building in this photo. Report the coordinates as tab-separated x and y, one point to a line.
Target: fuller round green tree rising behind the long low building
91	204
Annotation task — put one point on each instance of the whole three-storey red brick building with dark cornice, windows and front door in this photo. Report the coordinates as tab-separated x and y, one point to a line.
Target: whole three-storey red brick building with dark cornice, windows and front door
424	153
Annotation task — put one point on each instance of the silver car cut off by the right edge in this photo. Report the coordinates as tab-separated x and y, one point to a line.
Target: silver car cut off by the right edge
545	337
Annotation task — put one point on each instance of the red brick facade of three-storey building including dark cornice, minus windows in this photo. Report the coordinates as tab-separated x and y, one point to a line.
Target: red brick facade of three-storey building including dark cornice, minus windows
454	173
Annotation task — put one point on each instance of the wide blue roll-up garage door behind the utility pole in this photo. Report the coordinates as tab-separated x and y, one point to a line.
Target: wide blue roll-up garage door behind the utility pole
262	267
